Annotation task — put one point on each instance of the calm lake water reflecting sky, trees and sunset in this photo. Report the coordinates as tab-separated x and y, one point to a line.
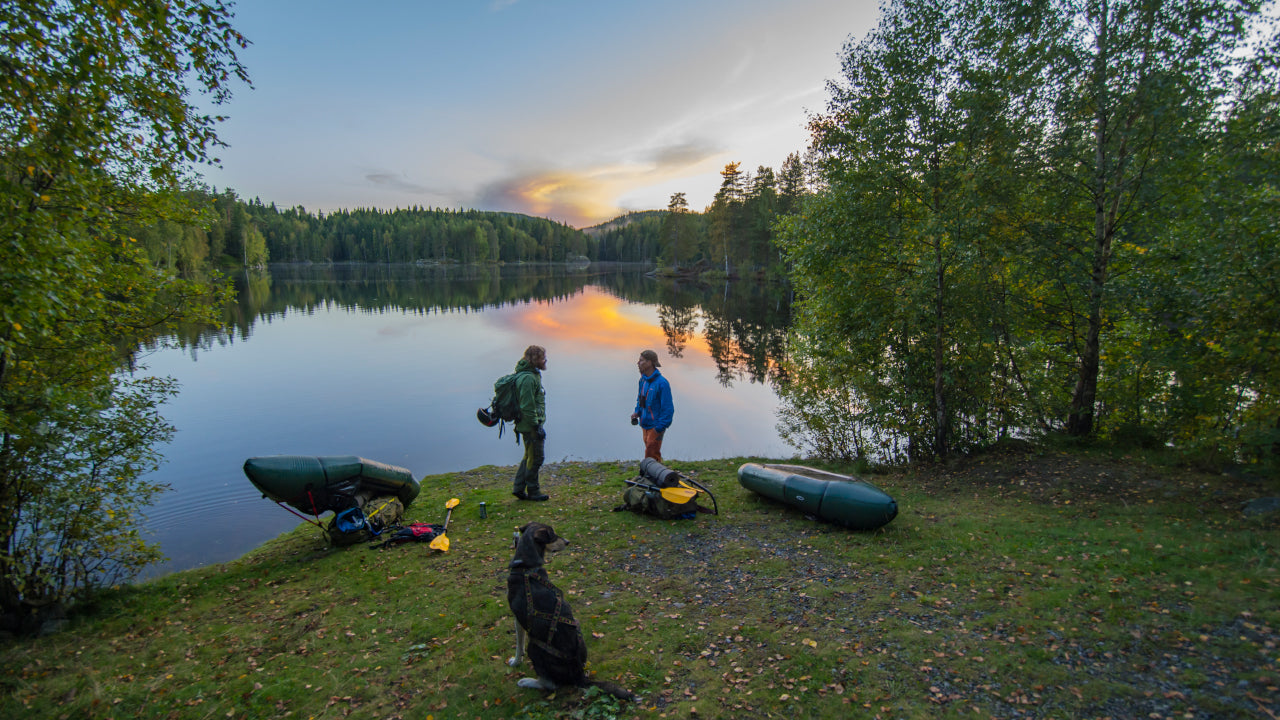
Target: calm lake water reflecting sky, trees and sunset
391	364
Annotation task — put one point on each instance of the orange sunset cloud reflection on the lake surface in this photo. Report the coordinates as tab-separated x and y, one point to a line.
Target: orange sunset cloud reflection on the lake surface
597	320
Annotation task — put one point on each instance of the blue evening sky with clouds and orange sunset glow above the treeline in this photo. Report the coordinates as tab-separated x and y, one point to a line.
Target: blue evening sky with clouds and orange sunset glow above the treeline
577	111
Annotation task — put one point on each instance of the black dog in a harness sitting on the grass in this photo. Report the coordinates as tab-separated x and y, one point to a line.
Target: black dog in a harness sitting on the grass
545	619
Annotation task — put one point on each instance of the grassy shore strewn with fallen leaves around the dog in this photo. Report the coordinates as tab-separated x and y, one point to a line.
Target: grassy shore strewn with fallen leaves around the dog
1021	584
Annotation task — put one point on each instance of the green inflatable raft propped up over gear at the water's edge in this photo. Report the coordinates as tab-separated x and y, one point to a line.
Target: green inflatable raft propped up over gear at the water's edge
316	485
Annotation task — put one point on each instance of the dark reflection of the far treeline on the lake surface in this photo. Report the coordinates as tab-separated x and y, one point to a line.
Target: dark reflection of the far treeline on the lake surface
746	325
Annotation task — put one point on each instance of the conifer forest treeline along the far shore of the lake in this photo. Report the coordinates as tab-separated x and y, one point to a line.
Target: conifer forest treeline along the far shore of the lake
734	234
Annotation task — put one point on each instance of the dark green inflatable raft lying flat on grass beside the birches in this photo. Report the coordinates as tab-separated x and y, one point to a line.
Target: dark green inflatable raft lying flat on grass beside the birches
840	499
